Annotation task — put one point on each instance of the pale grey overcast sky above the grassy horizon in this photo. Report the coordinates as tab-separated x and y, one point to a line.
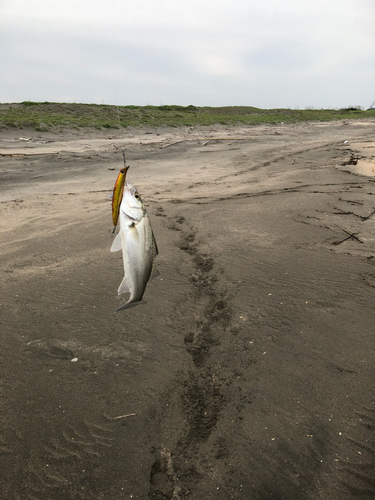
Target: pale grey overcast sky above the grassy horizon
263	53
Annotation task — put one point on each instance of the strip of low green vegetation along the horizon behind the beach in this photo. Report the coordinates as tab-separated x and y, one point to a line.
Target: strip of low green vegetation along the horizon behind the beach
45	116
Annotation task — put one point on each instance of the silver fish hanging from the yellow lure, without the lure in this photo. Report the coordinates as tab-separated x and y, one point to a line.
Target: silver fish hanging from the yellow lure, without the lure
138	245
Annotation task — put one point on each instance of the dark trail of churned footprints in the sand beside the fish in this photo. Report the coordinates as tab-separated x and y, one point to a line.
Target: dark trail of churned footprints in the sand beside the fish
202	399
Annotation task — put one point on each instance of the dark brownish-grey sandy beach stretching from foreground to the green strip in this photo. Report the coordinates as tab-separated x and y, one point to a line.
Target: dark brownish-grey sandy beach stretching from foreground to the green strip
248	375
